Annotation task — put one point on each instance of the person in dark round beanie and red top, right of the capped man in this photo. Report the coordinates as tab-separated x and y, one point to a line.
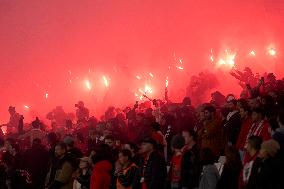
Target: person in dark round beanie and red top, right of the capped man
174	176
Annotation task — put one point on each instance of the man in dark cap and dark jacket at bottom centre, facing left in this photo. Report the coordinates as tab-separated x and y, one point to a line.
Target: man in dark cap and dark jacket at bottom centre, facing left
152	170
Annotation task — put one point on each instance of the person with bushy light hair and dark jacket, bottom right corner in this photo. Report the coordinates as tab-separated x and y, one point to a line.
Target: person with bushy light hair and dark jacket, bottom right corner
267	168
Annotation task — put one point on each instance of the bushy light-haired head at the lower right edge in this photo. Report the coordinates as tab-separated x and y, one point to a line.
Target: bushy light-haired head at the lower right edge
269	149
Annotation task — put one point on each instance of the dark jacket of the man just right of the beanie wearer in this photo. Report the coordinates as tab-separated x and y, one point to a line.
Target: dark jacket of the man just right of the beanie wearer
190	168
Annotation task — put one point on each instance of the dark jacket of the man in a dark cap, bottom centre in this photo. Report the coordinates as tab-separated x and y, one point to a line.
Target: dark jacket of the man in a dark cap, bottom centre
155	172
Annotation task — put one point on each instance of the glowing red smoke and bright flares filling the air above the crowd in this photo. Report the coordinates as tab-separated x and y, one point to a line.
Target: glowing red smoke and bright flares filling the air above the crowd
65	51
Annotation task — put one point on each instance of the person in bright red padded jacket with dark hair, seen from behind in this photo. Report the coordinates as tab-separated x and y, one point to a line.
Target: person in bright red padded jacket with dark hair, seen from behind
102	168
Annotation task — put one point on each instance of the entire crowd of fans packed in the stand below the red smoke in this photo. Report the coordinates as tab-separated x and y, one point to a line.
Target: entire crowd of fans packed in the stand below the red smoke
227	143
